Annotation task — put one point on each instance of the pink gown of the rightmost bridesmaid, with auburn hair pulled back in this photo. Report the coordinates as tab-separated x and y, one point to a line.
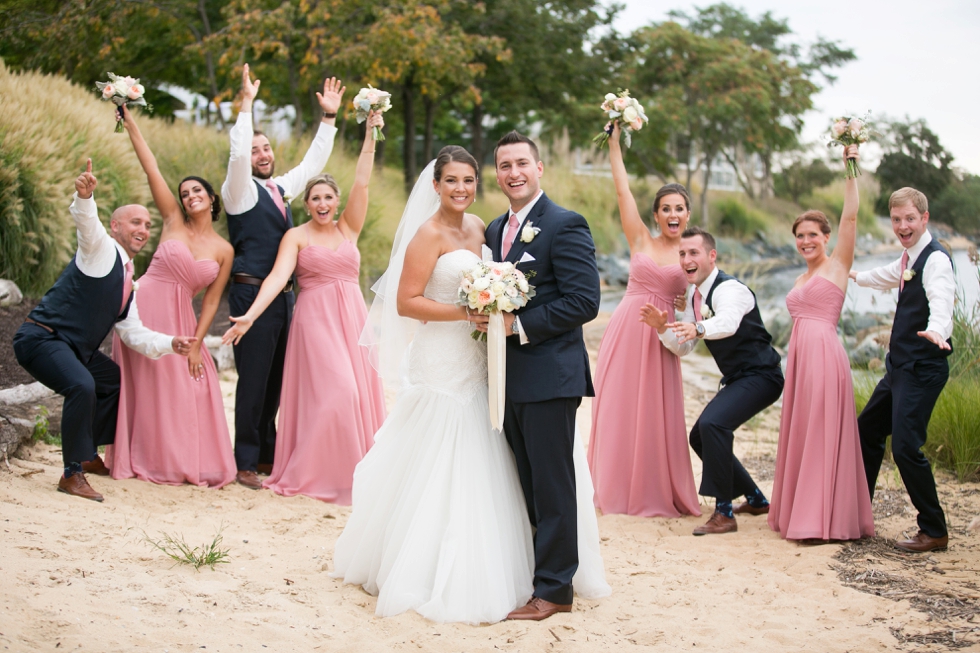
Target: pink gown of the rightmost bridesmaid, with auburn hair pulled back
820	490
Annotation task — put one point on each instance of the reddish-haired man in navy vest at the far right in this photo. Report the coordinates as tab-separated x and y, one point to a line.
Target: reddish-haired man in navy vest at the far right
916	366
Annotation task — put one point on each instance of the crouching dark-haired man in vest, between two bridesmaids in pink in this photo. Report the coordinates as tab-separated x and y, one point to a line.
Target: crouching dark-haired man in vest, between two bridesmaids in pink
723	312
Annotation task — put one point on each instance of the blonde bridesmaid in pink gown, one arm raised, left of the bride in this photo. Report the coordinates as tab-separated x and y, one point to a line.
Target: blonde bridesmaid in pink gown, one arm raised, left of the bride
332	400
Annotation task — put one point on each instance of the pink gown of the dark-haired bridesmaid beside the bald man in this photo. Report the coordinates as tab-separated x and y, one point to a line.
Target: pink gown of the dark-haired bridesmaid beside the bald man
171	428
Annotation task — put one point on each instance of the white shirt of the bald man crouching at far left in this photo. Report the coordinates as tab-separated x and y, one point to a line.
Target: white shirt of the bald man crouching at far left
96	256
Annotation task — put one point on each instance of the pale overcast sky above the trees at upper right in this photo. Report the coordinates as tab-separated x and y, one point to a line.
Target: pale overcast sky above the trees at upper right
920	59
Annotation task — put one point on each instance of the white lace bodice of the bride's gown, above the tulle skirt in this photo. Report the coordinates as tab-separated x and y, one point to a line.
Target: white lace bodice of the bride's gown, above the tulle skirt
443	356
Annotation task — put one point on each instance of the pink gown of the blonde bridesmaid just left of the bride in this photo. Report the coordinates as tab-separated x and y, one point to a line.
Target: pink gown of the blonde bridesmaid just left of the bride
332	401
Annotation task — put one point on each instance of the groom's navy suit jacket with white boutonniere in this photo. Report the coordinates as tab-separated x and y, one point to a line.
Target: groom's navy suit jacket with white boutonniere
555	362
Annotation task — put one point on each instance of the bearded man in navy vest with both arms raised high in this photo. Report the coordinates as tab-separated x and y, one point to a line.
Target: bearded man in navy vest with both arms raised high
258	211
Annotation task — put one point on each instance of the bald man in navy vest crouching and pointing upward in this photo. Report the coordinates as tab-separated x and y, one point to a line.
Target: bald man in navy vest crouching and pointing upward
59	342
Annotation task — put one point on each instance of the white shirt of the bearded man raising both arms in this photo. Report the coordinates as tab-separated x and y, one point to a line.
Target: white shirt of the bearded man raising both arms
239	193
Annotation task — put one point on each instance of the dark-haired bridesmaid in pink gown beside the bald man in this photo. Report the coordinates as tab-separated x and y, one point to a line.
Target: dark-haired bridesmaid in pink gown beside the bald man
172	427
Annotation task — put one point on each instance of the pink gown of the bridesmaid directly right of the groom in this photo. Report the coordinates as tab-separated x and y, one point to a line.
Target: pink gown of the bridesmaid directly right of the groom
638	452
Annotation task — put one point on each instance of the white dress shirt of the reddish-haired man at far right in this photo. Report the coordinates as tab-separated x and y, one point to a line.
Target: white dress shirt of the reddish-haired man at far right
937	280
